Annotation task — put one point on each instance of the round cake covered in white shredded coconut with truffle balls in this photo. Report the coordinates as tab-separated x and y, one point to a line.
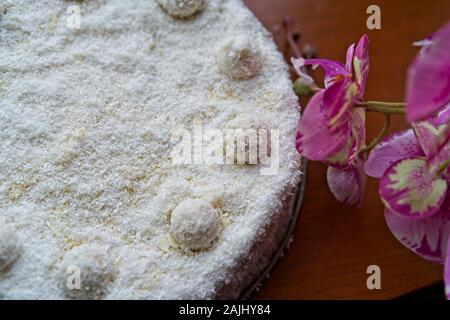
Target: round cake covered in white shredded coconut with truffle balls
128	132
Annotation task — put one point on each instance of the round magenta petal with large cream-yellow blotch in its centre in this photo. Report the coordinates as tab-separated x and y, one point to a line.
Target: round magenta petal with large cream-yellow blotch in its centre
411	189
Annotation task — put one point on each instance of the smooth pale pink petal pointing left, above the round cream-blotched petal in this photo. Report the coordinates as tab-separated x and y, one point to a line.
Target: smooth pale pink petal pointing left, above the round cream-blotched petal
391	149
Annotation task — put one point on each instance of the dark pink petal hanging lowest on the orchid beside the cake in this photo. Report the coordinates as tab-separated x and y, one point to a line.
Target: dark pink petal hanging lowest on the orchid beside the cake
347	184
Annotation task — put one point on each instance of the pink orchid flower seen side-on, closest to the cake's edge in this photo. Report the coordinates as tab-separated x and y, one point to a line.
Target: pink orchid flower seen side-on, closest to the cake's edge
332	128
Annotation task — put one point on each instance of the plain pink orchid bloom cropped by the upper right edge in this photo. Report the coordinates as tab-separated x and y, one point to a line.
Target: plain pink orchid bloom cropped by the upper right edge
428	81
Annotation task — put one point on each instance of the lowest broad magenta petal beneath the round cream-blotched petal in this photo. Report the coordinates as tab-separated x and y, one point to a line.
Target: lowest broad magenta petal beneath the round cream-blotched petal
427	237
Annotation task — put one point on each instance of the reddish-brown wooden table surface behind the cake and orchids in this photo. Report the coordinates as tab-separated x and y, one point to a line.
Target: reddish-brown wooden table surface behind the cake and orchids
335	243
